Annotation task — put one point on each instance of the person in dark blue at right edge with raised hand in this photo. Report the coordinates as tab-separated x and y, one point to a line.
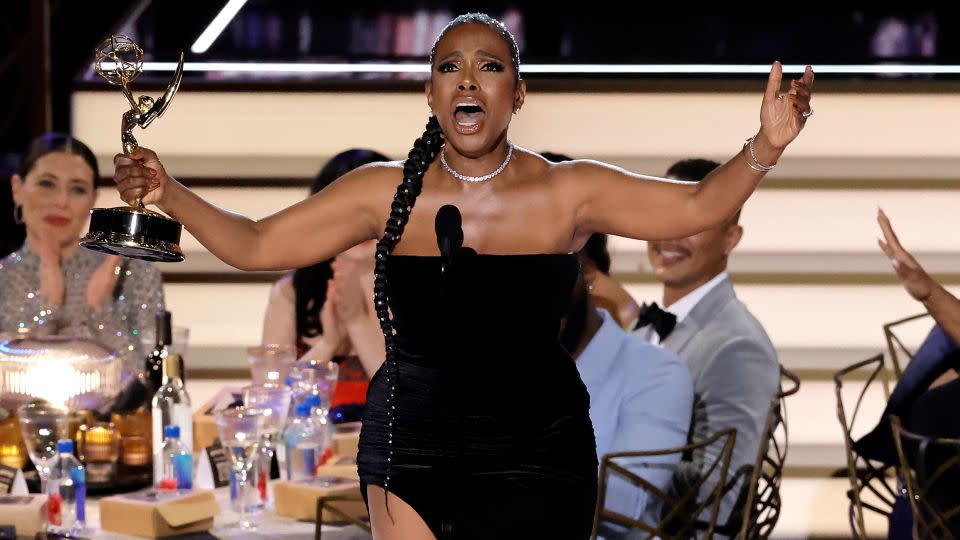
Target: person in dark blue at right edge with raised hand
927	394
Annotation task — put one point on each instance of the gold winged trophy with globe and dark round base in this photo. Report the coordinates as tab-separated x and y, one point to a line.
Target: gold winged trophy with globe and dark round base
133	231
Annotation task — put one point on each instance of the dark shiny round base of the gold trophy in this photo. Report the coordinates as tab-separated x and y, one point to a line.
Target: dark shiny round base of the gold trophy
135	233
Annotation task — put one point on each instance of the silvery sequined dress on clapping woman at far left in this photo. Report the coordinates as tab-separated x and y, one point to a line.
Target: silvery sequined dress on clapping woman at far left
117	324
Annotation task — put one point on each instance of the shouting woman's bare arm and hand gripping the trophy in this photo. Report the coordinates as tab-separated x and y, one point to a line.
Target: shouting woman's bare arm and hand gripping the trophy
349	211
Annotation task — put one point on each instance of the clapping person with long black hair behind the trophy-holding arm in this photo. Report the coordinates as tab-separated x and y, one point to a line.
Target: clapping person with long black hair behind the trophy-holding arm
327	310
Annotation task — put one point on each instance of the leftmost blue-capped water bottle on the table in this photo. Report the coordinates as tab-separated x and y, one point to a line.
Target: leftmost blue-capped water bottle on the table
67	492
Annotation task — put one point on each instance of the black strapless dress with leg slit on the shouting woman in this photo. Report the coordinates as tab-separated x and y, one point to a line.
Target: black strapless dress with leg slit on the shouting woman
492	436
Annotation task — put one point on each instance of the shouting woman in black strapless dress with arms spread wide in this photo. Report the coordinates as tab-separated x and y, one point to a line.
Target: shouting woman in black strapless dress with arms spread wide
477	425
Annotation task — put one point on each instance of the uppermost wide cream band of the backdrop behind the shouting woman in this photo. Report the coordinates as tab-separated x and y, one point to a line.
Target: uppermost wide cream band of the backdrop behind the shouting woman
919	128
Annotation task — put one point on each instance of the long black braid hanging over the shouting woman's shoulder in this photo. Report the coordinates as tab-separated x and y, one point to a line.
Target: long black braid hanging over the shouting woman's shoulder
424	151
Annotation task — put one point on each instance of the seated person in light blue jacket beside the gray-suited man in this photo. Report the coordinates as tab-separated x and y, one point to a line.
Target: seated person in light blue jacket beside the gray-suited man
640	396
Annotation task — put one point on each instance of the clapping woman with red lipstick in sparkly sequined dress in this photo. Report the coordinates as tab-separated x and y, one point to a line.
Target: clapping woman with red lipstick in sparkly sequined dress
52	286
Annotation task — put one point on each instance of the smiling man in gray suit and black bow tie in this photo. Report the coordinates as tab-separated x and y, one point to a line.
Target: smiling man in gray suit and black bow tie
732	362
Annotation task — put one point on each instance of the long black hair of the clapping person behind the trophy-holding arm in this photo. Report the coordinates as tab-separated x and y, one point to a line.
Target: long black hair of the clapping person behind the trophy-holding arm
310	283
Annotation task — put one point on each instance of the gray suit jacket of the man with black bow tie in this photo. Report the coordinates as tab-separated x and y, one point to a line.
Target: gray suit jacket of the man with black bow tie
735	373
